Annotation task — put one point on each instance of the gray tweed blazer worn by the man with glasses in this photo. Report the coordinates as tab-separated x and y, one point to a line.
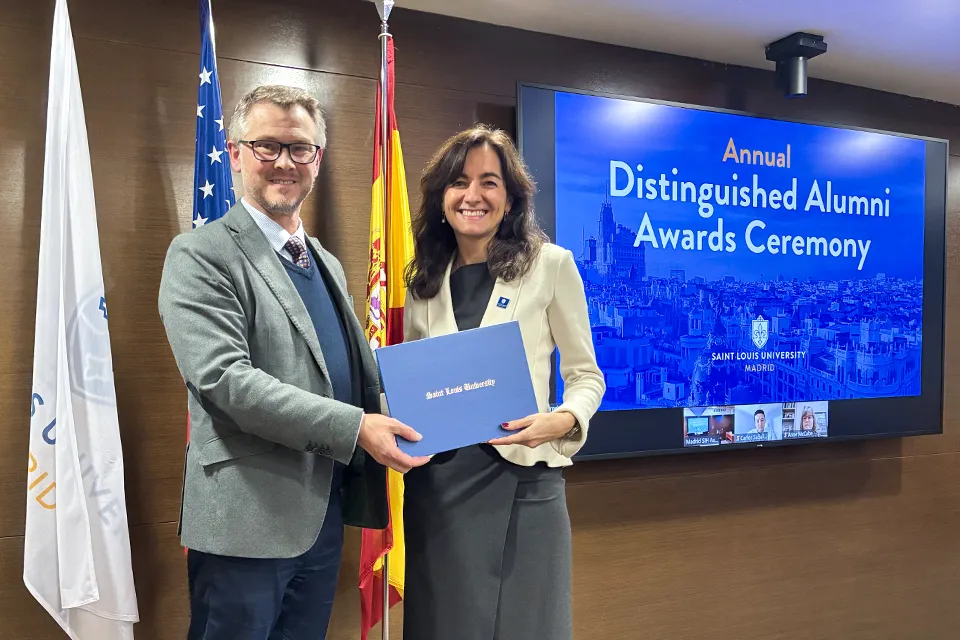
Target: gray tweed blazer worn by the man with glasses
264	427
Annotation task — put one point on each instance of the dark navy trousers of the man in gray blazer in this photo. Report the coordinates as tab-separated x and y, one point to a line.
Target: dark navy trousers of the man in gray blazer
267	599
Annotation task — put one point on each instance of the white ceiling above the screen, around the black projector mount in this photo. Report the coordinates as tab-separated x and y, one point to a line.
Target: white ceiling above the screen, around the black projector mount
910	47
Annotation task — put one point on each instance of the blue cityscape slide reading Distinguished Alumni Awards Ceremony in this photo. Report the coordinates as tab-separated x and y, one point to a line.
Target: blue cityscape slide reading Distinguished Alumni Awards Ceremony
677	327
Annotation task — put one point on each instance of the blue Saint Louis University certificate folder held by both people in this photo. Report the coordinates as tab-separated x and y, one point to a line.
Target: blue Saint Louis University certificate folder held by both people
457	389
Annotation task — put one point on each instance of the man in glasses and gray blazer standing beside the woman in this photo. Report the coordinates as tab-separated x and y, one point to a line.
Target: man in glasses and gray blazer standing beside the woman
283	392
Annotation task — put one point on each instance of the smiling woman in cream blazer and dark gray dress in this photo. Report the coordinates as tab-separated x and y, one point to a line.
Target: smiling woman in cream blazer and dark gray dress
488	553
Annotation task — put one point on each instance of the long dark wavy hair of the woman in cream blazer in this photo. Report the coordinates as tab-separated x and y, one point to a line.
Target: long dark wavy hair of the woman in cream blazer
518	239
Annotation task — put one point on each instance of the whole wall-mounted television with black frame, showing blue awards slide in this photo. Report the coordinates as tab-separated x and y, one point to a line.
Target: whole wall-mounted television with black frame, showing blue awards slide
750	281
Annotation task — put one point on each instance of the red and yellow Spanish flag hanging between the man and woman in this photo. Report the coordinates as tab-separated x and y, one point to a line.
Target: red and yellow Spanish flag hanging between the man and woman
391	248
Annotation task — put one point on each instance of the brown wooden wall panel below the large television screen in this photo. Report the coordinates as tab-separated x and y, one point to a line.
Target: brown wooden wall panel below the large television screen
838	549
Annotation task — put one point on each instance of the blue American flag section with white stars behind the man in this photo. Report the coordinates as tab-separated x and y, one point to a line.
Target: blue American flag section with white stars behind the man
212	180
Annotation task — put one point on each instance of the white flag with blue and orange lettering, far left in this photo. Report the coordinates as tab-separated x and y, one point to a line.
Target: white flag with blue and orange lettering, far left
77	546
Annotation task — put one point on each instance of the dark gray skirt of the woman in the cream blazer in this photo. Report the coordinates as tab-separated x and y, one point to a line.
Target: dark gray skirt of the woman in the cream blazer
488	551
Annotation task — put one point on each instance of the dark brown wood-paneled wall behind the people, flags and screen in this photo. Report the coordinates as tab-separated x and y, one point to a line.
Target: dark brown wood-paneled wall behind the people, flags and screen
824	541
